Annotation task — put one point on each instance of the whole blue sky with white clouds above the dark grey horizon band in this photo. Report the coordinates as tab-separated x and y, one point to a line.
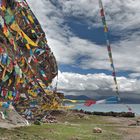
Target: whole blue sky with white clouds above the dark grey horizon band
75	34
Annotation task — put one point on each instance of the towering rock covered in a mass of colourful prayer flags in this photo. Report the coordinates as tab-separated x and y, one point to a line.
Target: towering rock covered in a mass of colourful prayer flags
27	65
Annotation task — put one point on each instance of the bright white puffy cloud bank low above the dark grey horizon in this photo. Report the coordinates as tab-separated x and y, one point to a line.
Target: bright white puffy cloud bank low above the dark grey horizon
95	82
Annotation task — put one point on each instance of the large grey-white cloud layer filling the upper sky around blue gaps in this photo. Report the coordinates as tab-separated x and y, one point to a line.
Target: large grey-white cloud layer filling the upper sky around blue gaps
122	17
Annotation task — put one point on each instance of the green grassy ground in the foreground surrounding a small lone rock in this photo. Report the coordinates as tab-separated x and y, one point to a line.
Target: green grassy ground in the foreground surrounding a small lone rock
70	127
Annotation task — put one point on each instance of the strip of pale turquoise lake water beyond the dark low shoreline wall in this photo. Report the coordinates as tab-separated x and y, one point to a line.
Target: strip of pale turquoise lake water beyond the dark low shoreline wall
110	107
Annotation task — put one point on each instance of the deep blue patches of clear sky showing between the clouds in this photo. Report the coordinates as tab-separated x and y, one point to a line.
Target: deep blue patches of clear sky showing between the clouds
80	28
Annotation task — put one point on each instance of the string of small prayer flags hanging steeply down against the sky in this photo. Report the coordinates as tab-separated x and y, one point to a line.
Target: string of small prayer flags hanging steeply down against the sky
106	32
